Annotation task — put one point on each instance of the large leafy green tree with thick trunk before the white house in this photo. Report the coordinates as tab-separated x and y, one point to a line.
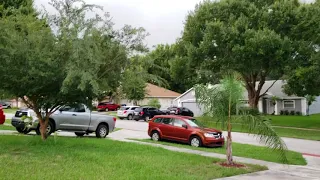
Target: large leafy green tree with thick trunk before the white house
253	38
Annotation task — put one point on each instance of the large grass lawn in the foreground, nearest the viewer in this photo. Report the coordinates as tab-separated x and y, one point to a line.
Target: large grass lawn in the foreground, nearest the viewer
27	157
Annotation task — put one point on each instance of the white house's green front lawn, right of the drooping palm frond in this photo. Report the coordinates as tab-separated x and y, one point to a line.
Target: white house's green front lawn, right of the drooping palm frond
309	122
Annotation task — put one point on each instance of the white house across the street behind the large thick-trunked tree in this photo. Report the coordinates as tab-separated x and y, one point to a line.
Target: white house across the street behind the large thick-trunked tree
265	105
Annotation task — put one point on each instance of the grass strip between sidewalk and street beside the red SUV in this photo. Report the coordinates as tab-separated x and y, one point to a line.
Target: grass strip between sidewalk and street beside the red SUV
242	150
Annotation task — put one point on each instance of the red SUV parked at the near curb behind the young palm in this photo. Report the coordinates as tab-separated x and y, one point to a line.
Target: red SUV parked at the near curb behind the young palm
184	129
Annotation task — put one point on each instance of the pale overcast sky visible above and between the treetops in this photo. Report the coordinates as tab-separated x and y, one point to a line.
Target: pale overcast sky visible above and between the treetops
163	19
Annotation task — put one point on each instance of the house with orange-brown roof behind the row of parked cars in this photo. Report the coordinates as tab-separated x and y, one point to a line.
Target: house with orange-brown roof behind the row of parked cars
164	96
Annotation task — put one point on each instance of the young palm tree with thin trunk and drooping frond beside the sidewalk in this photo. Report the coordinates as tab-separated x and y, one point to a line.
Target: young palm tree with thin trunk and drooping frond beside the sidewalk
218	102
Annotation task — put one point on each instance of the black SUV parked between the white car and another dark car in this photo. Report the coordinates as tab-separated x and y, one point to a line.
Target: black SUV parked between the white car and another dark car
146	113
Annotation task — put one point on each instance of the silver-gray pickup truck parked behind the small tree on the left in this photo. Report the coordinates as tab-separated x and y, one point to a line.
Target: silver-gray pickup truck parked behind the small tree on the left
78	119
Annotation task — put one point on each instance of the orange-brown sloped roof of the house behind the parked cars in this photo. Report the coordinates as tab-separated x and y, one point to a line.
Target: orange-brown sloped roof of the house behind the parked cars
156	91
